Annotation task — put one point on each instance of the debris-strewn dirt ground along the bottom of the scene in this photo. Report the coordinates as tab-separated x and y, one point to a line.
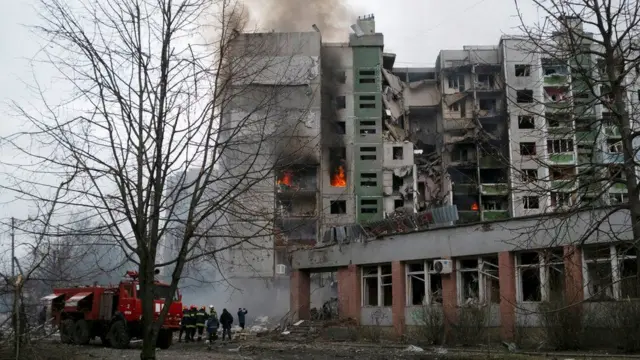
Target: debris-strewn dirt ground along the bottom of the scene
263	350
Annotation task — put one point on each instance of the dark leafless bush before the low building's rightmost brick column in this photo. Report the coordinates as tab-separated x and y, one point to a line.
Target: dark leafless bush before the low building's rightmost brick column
562	325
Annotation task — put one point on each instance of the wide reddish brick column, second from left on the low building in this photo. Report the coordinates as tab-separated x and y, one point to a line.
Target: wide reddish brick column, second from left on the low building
349	293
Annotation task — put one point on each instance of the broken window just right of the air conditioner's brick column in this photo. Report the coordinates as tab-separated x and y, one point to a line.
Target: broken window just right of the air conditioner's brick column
477	280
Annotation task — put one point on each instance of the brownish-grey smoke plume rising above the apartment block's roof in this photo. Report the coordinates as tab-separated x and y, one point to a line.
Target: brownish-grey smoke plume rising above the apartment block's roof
333	17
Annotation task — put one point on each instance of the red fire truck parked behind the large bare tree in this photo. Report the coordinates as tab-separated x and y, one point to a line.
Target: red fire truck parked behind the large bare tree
112	313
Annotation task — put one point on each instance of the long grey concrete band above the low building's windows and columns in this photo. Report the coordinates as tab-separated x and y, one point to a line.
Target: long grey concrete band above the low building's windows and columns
466	241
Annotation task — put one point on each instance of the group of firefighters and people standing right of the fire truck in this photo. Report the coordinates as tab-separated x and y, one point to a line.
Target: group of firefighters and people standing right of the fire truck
194	320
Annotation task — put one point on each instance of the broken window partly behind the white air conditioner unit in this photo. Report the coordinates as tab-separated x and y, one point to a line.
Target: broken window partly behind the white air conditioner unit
424	285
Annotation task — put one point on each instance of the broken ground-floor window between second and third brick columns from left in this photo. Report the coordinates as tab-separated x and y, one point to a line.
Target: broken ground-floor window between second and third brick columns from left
376	285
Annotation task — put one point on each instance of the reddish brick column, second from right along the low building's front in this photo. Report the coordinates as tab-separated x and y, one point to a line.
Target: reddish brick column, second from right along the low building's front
507	274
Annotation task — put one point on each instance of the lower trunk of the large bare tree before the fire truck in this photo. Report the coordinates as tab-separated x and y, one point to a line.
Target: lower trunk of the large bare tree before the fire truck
149	331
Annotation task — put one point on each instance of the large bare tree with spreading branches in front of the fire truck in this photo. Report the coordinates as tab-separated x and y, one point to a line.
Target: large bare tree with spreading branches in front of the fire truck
162	89
